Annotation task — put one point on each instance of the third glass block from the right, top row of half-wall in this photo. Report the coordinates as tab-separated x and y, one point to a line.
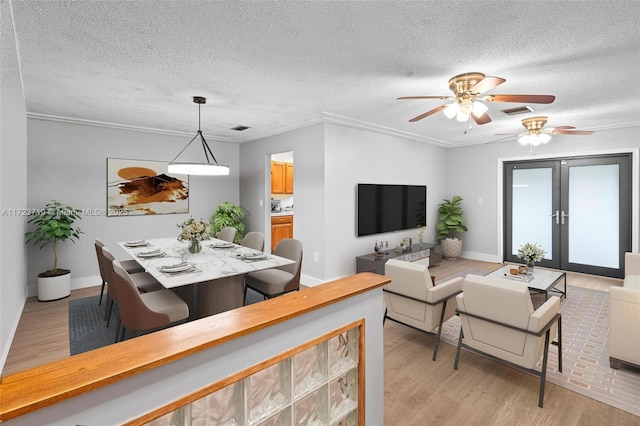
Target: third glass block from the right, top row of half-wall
269	390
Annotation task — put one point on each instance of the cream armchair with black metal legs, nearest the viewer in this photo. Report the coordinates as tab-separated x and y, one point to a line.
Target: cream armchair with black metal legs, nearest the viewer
498	320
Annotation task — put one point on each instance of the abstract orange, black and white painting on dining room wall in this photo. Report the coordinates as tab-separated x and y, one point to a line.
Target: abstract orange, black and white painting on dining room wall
140	187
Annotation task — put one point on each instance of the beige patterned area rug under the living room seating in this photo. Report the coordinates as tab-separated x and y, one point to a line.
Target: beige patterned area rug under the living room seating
585	352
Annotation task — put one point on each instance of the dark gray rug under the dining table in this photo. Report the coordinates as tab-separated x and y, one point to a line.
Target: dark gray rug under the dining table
88	331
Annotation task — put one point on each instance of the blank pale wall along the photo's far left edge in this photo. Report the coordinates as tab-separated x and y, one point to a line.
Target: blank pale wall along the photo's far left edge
13	185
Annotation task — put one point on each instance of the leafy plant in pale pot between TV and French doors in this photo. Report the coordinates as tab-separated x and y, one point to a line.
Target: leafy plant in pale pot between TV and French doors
450	221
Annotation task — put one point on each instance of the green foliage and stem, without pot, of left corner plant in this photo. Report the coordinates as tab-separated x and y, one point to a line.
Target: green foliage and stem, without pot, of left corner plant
54	223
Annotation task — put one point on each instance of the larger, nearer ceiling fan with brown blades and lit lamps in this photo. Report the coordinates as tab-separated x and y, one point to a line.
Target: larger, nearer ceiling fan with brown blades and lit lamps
467	91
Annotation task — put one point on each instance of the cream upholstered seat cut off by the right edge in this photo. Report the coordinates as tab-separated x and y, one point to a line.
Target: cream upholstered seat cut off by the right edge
624	316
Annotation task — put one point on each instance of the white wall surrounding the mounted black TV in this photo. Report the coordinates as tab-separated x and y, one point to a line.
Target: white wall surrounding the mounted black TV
355	156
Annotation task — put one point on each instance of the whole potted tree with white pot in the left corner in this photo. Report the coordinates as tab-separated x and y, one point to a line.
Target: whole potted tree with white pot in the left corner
53	224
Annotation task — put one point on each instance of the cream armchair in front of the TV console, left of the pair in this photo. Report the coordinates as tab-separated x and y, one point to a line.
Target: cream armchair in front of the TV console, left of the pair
411	298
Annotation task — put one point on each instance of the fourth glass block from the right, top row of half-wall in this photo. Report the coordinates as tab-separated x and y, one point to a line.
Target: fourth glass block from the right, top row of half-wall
224	407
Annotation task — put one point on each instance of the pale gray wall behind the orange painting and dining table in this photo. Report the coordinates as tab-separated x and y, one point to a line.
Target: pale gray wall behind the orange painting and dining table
67	162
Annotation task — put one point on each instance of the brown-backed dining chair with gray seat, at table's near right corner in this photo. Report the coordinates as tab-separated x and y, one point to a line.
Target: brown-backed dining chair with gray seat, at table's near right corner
283	279
